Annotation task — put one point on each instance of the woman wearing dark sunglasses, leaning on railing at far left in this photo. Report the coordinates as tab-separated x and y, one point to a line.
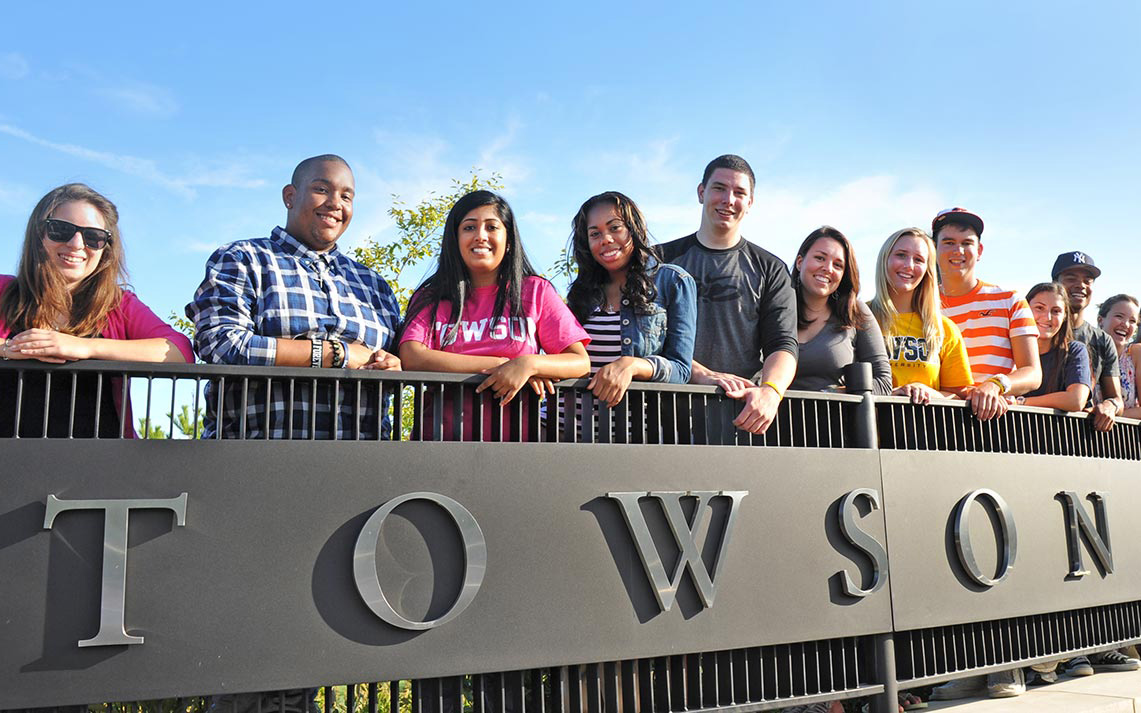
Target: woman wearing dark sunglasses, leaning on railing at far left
68	303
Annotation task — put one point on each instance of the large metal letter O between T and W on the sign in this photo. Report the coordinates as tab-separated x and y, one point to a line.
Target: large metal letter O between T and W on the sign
368	579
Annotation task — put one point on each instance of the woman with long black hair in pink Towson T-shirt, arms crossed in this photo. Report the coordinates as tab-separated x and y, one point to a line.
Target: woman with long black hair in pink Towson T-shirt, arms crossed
485	311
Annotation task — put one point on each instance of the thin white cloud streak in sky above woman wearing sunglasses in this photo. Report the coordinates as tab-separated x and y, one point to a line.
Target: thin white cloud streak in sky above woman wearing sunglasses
222	175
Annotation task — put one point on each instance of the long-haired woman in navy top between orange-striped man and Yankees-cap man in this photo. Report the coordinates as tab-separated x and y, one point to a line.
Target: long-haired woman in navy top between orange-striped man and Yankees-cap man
1065	361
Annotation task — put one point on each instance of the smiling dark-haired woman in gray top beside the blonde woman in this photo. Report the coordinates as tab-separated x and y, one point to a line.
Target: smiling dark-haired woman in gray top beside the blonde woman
834	328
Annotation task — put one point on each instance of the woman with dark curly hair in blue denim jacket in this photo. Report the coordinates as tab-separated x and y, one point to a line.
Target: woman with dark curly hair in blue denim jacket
641	313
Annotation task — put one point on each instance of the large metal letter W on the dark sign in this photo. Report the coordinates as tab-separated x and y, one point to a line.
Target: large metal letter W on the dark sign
685	534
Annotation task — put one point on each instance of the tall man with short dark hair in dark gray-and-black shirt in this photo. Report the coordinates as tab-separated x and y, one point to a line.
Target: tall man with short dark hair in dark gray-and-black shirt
747	310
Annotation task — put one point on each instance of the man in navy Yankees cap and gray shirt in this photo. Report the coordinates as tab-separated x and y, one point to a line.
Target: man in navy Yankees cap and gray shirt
1077	272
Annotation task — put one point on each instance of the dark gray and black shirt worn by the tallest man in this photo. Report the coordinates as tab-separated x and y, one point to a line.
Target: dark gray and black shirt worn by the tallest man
746	305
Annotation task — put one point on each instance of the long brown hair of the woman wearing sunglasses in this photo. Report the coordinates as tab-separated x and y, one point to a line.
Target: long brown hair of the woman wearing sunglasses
41	299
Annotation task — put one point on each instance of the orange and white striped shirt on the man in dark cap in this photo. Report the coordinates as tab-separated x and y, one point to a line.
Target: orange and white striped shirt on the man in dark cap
989	318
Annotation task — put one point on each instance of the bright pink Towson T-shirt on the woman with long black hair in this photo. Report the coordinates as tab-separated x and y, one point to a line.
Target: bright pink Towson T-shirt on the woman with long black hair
546	325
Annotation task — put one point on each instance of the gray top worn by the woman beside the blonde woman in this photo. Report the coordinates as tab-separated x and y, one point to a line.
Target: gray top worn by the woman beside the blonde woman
824	358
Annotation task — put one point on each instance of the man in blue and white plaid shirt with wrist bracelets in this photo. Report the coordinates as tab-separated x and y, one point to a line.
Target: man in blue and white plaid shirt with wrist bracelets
294	299
